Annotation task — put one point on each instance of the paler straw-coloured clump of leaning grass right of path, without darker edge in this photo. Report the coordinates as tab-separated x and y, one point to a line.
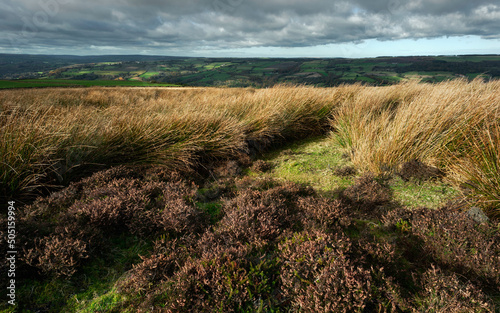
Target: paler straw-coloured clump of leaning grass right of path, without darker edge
383	128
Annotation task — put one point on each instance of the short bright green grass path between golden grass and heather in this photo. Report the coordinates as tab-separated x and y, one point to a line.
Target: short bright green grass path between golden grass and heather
319	162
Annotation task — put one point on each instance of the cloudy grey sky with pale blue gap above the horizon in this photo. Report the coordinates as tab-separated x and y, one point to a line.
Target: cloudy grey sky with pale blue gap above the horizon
251	28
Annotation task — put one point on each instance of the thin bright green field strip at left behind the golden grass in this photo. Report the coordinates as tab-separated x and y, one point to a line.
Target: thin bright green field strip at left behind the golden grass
36	83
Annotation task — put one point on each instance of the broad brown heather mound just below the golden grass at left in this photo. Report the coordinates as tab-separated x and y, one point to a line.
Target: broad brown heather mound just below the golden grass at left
141	208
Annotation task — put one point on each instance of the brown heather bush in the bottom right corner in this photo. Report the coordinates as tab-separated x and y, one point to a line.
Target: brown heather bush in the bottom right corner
446	293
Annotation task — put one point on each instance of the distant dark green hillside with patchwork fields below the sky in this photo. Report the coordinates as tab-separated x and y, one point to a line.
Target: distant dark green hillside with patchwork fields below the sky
244	72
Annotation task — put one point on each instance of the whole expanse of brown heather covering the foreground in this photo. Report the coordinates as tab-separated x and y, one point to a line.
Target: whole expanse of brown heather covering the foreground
270	246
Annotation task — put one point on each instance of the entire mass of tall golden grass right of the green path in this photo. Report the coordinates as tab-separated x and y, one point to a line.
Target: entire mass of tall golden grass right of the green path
447	128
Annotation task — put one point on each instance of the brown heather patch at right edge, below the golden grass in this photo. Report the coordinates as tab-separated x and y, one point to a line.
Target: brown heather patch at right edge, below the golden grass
453	241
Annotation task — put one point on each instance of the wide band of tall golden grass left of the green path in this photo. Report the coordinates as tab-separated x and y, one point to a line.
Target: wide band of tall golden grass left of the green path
49	136
